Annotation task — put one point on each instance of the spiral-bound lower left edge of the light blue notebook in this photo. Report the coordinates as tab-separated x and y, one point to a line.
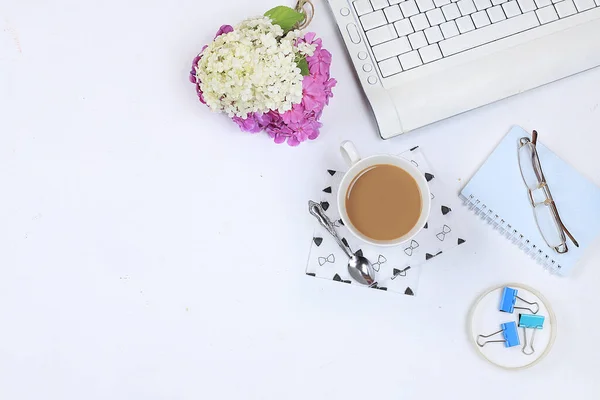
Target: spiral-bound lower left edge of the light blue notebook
509	232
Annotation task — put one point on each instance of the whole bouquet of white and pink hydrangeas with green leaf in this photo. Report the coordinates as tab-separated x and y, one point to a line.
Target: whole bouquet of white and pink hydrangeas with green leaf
267	75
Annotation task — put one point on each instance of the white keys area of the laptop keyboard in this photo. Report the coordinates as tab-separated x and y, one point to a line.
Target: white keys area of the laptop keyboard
406	34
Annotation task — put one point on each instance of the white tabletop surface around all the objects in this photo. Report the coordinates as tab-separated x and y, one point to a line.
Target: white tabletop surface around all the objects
150	250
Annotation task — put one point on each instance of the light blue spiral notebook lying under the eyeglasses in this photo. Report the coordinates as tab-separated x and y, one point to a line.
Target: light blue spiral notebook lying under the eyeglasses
498	195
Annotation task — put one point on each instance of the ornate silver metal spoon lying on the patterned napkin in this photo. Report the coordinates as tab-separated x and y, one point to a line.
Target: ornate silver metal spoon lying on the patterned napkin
359	267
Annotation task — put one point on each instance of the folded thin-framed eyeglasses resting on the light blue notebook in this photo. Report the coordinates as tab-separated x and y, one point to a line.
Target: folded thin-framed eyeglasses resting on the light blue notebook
546	214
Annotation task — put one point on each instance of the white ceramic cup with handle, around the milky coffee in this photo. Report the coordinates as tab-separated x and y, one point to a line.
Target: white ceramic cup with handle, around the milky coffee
357	165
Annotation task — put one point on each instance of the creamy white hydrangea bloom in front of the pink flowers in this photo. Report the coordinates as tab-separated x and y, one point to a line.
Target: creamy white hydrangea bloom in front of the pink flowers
252	69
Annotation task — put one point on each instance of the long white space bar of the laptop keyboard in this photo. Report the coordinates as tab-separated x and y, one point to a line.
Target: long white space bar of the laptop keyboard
488	33
